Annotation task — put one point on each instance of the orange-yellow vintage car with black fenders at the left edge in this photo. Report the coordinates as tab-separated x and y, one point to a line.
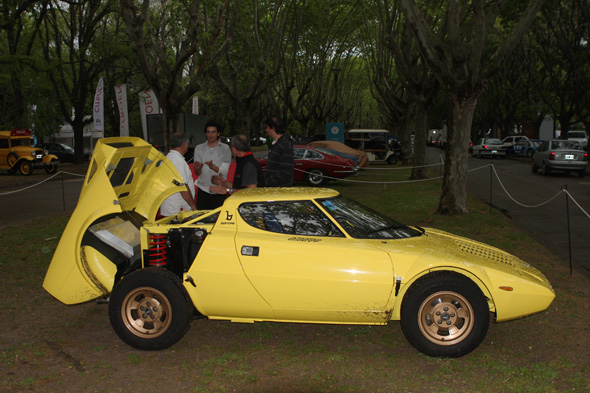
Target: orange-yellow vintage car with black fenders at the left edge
17	153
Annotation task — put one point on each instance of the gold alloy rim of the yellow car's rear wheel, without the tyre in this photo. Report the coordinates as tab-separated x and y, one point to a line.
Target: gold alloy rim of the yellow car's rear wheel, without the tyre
146	312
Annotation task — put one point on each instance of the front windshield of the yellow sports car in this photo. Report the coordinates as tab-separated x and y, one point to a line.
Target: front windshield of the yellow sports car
364	223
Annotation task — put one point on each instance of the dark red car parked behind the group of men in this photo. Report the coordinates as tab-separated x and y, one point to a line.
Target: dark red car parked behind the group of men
317	167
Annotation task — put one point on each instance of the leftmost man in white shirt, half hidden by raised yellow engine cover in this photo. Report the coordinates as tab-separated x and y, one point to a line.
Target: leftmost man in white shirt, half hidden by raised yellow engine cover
183	200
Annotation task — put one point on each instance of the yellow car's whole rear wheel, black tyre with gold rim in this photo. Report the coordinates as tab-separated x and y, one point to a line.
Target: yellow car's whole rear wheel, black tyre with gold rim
149	309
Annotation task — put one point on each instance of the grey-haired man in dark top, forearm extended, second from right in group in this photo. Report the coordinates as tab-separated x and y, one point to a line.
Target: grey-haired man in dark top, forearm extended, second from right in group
248	172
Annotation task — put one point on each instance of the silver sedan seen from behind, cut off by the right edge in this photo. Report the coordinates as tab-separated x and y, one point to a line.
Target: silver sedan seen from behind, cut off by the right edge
560	155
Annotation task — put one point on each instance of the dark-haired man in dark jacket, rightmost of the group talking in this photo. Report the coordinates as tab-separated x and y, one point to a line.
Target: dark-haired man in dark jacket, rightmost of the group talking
281	163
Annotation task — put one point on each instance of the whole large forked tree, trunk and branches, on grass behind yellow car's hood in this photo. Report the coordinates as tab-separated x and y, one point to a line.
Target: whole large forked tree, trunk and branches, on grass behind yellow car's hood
462	56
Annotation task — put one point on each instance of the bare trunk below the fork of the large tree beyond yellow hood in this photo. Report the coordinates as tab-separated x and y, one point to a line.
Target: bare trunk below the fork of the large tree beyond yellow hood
454	189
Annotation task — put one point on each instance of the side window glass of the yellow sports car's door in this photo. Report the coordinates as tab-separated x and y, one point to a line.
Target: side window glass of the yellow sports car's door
294	218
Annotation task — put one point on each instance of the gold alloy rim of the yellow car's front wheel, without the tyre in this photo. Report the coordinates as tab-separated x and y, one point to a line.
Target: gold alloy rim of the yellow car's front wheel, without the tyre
445	318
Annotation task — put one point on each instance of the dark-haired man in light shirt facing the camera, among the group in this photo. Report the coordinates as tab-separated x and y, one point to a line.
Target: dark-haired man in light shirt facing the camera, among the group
212	158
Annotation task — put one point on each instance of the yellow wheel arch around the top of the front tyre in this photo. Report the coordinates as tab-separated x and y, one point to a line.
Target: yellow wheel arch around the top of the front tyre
403	289
